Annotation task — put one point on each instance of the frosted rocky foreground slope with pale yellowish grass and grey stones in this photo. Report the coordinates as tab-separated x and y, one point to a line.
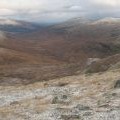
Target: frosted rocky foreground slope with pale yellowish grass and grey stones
81	97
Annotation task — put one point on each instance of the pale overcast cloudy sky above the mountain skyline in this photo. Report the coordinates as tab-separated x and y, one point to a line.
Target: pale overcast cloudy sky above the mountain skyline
48	11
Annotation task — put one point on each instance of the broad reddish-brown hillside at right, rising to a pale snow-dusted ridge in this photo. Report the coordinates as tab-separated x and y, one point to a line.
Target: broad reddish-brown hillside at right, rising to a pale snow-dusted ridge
78	42
